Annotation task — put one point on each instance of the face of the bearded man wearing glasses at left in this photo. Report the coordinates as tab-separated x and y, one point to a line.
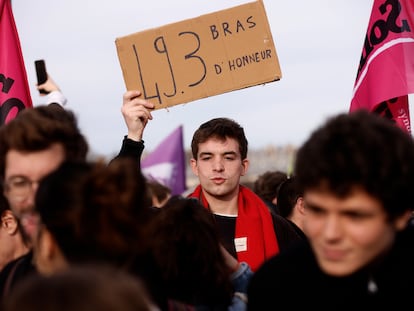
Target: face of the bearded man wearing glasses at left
22	174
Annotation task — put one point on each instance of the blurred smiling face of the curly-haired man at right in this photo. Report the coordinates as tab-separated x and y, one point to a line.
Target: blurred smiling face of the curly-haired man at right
347	233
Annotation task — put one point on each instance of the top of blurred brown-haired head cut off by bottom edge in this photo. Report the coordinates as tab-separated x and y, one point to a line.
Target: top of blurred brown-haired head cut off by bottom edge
81	288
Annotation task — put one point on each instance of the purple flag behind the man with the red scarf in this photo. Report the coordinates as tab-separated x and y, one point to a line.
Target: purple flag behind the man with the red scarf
166	163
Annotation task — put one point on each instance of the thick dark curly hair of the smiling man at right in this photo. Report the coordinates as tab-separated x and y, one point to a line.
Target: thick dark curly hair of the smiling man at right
360	149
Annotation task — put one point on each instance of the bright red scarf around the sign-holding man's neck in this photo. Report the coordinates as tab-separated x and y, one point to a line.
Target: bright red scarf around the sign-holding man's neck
253	222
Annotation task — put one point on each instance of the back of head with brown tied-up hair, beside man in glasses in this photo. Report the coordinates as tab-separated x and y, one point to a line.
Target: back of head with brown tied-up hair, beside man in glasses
90	212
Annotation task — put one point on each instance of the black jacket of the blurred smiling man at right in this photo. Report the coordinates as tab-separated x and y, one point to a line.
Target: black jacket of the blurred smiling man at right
293	278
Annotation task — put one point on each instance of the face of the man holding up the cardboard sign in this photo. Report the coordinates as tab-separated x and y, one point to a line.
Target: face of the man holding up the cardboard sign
219	167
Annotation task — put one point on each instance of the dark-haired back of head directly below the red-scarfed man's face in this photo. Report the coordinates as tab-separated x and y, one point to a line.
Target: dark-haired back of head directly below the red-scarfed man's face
186	246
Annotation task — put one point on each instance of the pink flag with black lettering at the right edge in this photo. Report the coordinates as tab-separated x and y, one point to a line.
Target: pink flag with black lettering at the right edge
386	70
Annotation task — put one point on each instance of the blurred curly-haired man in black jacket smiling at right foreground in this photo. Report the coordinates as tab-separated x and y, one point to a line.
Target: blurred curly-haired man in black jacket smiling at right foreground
357	174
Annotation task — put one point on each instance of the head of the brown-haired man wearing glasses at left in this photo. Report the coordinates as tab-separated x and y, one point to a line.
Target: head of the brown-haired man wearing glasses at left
32	145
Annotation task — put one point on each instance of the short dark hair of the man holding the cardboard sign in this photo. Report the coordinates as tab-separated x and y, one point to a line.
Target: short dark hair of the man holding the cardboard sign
220	128
